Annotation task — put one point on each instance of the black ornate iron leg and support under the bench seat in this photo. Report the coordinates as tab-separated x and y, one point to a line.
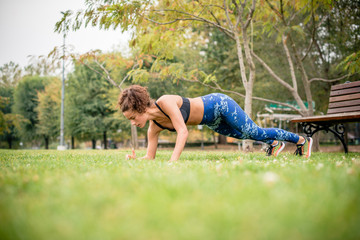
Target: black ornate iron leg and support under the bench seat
337	129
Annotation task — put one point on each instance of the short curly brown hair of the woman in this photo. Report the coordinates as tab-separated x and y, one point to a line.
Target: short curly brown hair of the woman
134	98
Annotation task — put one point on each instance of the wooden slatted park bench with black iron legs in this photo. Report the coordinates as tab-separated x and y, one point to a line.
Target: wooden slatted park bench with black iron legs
344	106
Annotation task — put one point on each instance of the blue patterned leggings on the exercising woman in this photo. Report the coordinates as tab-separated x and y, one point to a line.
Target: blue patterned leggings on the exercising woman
223	115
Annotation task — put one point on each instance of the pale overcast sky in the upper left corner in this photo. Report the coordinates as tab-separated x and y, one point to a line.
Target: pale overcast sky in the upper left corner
27	28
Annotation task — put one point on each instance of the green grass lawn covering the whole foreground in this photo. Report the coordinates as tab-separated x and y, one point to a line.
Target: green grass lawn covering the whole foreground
206	195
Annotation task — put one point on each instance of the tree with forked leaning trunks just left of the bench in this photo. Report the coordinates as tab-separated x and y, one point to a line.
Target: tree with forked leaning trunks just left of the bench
302	30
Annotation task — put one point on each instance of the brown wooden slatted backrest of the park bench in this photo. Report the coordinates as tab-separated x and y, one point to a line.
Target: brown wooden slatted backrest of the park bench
344	98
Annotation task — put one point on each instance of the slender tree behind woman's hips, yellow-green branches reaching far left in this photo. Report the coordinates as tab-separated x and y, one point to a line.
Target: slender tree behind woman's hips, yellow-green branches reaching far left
230	17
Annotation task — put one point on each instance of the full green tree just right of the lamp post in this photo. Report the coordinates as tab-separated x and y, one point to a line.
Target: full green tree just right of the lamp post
89	111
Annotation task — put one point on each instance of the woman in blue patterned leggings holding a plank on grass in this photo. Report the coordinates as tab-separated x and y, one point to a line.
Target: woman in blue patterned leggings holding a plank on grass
218	111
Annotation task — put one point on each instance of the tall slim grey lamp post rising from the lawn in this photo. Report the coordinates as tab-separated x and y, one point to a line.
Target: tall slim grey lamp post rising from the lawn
62	142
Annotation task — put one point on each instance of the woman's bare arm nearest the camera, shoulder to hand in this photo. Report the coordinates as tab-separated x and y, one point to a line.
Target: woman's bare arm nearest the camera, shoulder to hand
170	107
